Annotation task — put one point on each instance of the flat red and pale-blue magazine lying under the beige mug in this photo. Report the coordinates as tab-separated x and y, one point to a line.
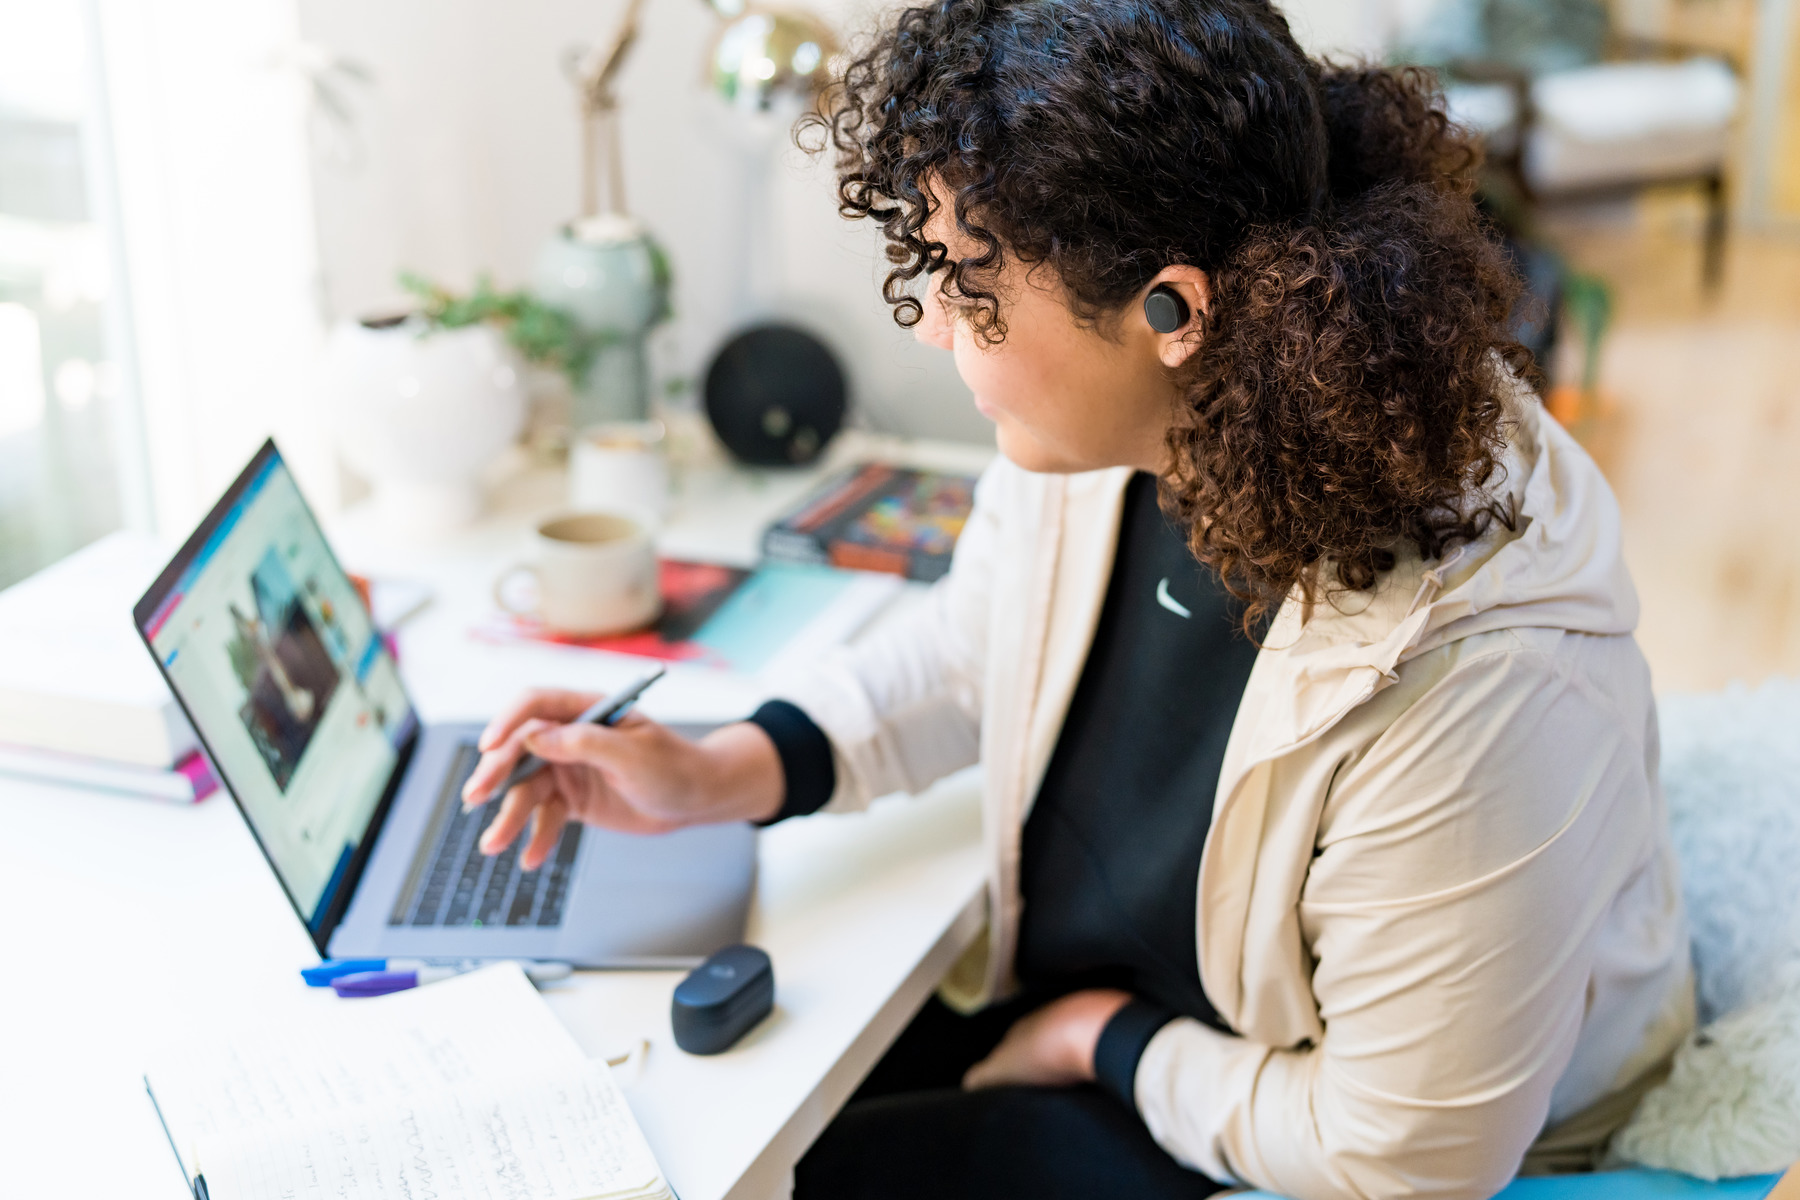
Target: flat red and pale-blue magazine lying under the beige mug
733	620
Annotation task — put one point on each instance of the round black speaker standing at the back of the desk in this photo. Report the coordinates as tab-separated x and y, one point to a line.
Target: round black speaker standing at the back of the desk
775	397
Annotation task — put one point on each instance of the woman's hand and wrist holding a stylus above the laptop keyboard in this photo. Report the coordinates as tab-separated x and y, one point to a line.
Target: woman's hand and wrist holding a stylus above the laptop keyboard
634	776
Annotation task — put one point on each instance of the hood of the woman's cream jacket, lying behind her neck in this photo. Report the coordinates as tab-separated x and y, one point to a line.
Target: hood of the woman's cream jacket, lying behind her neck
1561	566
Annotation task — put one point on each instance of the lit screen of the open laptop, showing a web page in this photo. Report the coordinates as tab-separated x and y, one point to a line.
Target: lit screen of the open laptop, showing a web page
278	663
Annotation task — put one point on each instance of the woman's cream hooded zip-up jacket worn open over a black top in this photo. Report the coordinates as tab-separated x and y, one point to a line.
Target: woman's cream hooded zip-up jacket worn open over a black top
1437	904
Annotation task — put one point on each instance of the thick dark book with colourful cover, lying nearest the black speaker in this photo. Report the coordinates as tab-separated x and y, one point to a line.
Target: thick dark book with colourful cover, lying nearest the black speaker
877	517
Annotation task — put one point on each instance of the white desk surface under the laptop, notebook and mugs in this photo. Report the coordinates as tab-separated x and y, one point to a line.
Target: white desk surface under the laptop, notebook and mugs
130	922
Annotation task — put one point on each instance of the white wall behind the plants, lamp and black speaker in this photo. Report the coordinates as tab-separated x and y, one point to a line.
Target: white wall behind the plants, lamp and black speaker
463	161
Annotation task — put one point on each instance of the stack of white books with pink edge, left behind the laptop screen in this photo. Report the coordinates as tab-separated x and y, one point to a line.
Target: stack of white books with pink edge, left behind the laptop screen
82	701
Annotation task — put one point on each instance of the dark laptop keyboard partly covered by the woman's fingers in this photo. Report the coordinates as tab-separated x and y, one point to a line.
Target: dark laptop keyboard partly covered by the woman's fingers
453	884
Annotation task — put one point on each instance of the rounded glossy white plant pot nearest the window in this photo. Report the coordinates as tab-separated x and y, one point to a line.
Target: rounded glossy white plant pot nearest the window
420	413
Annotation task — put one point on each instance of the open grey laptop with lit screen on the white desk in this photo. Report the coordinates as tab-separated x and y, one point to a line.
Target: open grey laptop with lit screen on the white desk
357	807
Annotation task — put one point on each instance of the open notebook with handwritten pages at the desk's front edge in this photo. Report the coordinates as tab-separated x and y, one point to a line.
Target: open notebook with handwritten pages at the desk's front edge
462	1089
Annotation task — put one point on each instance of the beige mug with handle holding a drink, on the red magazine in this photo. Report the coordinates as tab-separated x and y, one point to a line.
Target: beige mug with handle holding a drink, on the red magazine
597	575
